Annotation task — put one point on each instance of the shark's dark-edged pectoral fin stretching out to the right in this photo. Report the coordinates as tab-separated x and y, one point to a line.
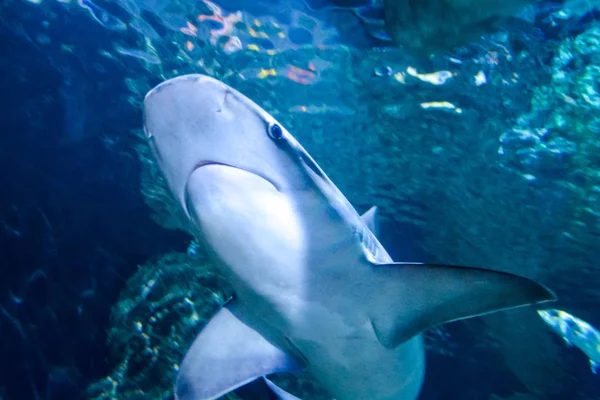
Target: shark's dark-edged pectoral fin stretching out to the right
417	296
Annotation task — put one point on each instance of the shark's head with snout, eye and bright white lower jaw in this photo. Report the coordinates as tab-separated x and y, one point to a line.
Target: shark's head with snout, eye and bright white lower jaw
231	166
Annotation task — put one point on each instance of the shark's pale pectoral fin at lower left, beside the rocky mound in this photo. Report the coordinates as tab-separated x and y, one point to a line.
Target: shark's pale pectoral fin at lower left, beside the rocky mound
225	355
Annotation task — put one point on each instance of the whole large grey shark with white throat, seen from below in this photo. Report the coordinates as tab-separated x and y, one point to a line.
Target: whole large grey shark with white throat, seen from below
314	288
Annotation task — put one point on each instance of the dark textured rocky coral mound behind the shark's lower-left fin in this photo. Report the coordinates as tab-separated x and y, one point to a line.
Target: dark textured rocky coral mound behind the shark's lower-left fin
157	316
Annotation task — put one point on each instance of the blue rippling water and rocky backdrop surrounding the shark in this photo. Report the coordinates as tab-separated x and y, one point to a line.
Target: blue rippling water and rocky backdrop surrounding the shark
485	154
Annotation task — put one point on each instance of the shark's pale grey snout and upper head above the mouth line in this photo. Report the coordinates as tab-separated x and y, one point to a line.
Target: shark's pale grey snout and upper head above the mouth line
195	121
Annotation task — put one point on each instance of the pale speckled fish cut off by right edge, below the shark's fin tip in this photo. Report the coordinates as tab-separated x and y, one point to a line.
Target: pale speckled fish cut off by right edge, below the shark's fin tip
575	332
